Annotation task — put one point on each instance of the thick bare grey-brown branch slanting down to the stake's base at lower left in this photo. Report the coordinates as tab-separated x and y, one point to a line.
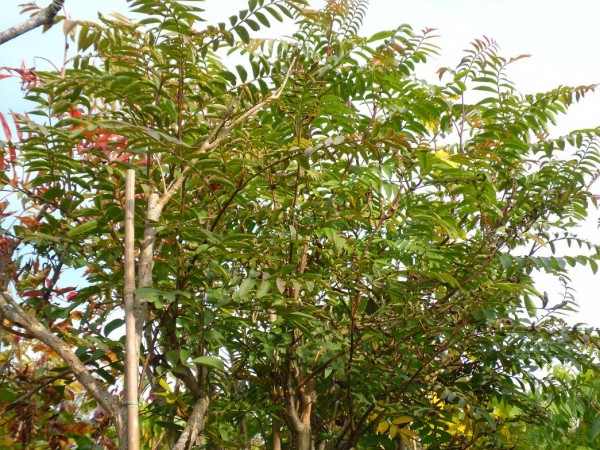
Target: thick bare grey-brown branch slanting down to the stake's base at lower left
11	310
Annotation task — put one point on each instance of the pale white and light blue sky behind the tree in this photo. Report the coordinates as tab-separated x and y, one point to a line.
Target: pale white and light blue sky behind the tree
562	39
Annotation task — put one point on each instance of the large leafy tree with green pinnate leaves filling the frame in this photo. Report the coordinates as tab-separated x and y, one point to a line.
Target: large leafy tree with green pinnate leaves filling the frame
333	253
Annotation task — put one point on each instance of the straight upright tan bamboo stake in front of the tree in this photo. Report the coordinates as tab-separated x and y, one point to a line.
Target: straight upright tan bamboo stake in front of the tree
131	340
